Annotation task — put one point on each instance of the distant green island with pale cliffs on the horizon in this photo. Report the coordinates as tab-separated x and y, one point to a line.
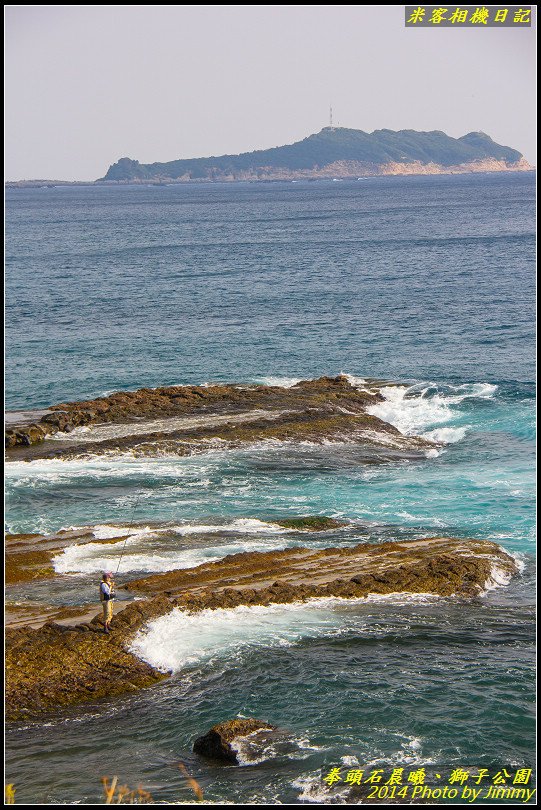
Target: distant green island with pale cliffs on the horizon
334	152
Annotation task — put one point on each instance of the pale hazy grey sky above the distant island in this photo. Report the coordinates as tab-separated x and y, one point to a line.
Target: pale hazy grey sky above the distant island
86	85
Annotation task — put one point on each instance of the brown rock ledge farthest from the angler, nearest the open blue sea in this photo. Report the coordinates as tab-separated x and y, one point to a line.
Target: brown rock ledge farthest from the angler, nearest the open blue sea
184	419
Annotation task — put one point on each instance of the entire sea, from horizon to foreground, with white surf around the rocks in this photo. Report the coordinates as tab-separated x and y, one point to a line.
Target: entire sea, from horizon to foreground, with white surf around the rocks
425	283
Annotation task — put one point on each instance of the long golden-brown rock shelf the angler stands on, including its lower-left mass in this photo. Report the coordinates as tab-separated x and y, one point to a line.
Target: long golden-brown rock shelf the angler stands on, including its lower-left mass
62	664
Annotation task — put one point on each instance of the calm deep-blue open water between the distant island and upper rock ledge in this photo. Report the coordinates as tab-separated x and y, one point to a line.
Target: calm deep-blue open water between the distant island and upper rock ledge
429	278
